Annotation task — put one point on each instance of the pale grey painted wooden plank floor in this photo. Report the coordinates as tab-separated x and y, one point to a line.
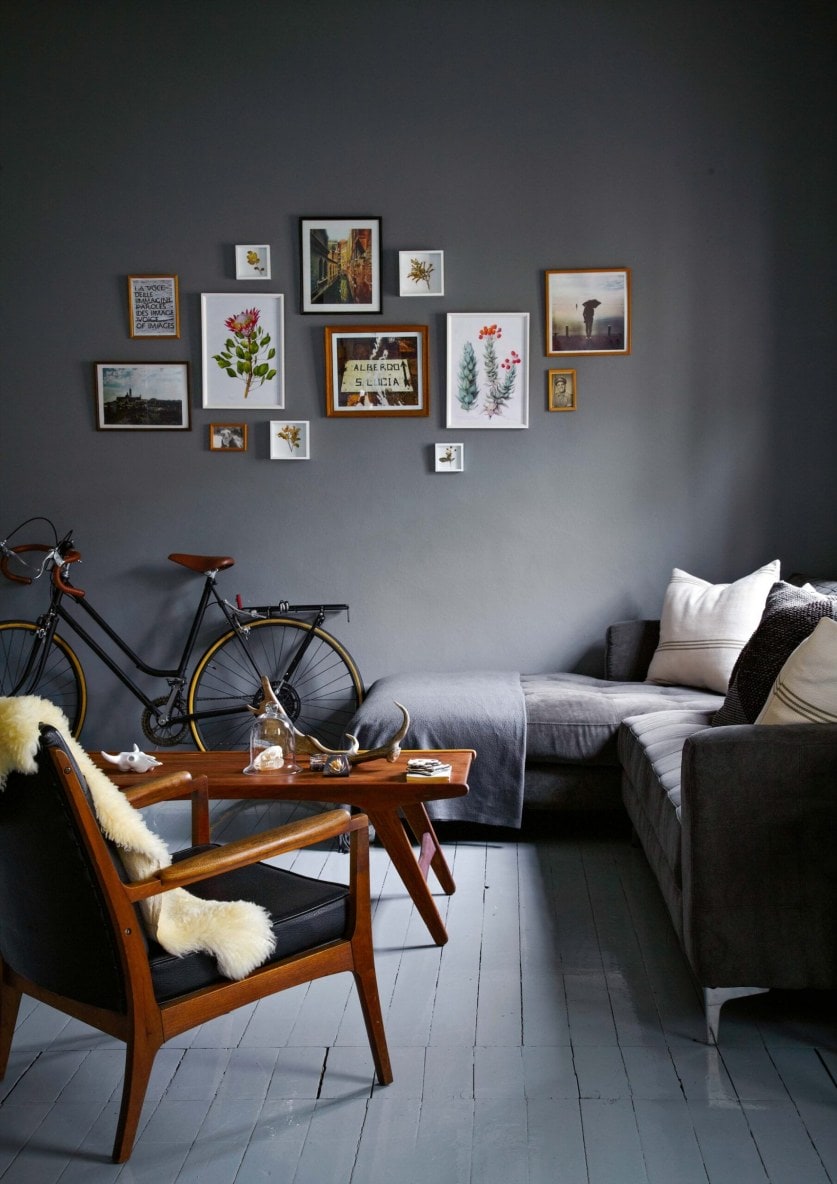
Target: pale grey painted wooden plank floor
557	1038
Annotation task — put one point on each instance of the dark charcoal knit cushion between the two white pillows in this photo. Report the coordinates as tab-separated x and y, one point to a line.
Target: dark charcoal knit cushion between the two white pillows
791	615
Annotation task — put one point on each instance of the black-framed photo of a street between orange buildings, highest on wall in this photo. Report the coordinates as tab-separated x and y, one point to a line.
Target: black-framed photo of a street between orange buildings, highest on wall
340	265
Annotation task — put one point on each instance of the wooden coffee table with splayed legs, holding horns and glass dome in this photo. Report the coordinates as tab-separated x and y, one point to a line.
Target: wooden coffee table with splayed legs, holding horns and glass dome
378	788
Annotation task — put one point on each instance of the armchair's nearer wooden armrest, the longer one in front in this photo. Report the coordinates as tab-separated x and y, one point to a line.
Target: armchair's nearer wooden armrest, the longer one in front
244	852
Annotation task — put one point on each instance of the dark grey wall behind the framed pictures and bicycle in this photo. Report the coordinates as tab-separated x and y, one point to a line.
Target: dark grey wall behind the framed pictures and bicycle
688	141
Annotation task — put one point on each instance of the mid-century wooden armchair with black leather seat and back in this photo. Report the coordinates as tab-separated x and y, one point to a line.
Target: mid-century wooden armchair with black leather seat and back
72	934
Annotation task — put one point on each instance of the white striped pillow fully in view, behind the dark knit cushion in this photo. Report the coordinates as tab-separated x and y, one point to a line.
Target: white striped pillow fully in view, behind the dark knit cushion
705	627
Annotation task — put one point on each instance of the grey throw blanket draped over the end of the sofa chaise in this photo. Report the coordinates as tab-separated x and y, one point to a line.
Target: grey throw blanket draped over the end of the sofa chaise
485	711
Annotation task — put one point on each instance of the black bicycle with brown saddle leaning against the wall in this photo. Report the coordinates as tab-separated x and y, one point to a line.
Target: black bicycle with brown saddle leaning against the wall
312	674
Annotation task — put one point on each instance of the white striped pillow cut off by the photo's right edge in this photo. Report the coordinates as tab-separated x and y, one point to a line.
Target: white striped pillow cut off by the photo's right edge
806	690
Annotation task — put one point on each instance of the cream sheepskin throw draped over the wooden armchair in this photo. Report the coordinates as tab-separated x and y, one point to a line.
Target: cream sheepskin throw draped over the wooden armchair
237	934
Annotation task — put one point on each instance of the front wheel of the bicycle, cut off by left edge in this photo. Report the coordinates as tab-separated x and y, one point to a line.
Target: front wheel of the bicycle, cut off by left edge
62	680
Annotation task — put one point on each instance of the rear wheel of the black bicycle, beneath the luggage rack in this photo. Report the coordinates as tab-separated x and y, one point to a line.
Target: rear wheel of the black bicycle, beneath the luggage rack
321	696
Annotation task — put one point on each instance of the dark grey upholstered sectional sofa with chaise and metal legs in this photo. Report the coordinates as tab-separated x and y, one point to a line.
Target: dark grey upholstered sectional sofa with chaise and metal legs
737	821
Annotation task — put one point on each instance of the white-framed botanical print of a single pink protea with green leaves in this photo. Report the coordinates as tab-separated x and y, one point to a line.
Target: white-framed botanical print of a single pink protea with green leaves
243	350
